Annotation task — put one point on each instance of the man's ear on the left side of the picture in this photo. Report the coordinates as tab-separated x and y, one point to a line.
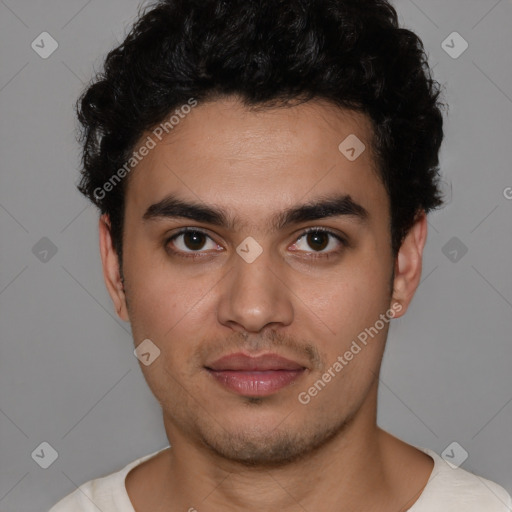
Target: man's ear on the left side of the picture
111	272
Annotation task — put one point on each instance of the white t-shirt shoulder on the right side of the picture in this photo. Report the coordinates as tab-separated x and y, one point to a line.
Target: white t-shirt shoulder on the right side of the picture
453	488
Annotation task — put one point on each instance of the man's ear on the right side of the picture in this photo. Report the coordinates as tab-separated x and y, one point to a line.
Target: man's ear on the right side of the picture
408	264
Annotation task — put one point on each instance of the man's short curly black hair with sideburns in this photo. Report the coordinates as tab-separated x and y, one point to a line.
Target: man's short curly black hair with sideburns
269	53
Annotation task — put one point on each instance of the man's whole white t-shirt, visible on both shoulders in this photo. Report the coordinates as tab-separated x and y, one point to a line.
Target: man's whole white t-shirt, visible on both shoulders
448	490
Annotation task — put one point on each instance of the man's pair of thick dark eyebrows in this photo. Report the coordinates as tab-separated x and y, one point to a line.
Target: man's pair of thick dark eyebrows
324	207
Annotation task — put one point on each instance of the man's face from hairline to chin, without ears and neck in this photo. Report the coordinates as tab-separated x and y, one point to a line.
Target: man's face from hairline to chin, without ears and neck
211	293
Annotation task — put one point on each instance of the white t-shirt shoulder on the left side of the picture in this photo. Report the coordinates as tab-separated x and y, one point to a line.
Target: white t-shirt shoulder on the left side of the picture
107	493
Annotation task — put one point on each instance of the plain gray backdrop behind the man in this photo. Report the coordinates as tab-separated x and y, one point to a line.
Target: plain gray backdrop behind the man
68	375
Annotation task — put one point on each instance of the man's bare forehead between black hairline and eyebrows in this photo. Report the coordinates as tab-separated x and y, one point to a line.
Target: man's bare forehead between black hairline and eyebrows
248	162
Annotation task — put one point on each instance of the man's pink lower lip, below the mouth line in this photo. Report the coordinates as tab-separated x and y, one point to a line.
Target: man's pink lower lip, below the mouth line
256	383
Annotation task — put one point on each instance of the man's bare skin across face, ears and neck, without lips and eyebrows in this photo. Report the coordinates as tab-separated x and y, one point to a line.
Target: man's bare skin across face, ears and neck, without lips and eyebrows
232	452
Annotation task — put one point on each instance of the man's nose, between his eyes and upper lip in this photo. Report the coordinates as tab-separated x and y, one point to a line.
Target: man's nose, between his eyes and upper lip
255	295
